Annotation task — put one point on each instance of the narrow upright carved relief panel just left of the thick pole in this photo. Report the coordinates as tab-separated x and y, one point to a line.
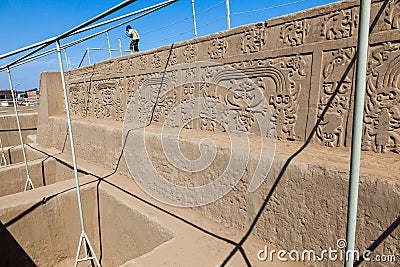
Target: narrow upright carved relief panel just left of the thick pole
334	101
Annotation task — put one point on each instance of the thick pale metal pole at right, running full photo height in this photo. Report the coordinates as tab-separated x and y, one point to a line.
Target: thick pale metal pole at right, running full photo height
361	73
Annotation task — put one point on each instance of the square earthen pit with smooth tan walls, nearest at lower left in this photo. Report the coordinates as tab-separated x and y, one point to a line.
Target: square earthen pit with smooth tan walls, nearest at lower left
48	232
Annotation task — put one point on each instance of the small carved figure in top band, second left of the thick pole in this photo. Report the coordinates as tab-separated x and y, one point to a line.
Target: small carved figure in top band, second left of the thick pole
294	33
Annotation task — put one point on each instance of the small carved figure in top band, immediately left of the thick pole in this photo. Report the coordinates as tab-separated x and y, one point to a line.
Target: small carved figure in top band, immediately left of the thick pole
340	24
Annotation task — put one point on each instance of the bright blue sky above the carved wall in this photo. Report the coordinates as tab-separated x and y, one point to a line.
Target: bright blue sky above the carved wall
24	22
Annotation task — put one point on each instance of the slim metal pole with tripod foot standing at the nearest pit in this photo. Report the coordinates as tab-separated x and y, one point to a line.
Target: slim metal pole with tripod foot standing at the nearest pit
83	241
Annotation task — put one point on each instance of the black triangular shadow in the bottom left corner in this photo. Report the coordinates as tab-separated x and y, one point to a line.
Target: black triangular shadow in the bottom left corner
12	254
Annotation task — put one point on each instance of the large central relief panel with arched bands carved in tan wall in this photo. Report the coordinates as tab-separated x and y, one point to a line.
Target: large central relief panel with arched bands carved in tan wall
271	87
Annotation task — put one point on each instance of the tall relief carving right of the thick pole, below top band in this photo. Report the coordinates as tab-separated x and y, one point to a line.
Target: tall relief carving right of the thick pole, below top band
382	108
